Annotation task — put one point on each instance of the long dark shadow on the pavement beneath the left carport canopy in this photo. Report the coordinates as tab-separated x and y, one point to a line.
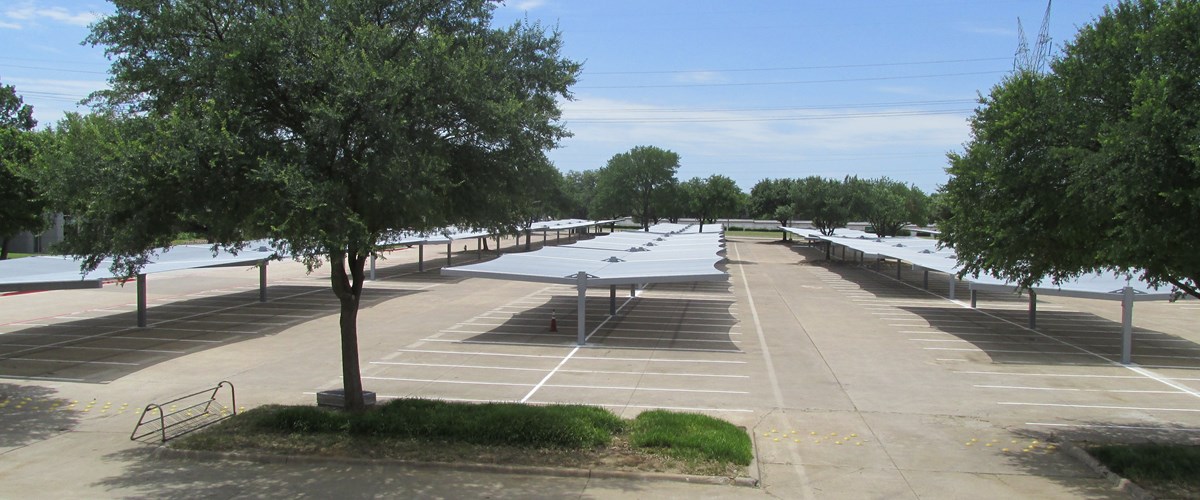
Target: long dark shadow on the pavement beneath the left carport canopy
106	348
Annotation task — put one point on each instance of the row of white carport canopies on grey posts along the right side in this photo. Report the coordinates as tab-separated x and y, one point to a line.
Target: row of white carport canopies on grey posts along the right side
926	255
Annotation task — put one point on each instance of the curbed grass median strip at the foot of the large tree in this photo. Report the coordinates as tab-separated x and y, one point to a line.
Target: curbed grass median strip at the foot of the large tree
493	433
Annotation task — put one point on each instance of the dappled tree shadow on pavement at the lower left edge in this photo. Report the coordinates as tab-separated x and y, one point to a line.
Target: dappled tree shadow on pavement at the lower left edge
31	414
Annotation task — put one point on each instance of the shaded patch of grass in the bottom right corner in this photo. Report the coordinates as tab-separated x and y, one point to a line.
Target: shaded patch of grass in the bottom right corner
1165	469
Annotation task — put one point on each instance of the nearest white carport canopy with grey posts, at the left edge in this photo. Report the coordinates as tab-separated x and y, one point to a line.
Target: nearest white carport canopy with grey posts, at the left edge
47	273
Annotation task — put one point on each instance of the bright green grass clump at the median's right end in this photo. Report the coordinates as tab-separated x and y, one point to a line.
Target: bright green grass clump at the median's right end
692	437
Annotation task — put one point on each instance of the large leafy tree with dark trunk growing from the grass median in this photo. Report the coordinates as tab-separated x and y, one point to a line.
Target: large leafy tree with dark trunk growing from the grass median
323	125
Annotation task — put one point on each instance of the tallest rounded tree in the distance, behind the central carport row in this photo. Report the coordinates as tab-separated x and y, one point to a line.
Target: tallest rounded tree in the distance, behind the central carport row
635	183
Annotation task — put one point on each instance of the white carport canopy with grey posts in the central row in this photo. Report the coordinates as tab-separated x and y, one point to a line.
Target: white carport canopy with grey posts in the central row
633	258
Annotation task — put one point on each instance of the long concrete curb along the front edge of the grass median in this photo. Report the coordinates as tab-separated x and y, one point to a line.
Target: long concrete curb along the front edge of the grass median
163	453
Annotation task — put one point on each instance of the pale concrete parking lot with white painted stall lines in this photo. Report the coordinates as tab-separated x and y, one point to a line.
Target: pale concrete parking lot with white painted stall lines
851	382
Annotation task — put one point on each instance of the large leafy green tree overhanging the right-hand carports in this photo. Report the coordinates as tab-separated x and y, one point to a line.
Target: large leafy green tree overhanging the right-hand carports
1094	166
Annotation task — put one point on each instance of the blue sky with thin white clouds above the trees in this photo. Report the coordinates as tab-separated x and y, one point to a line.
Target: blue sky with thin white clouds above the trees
747	89
